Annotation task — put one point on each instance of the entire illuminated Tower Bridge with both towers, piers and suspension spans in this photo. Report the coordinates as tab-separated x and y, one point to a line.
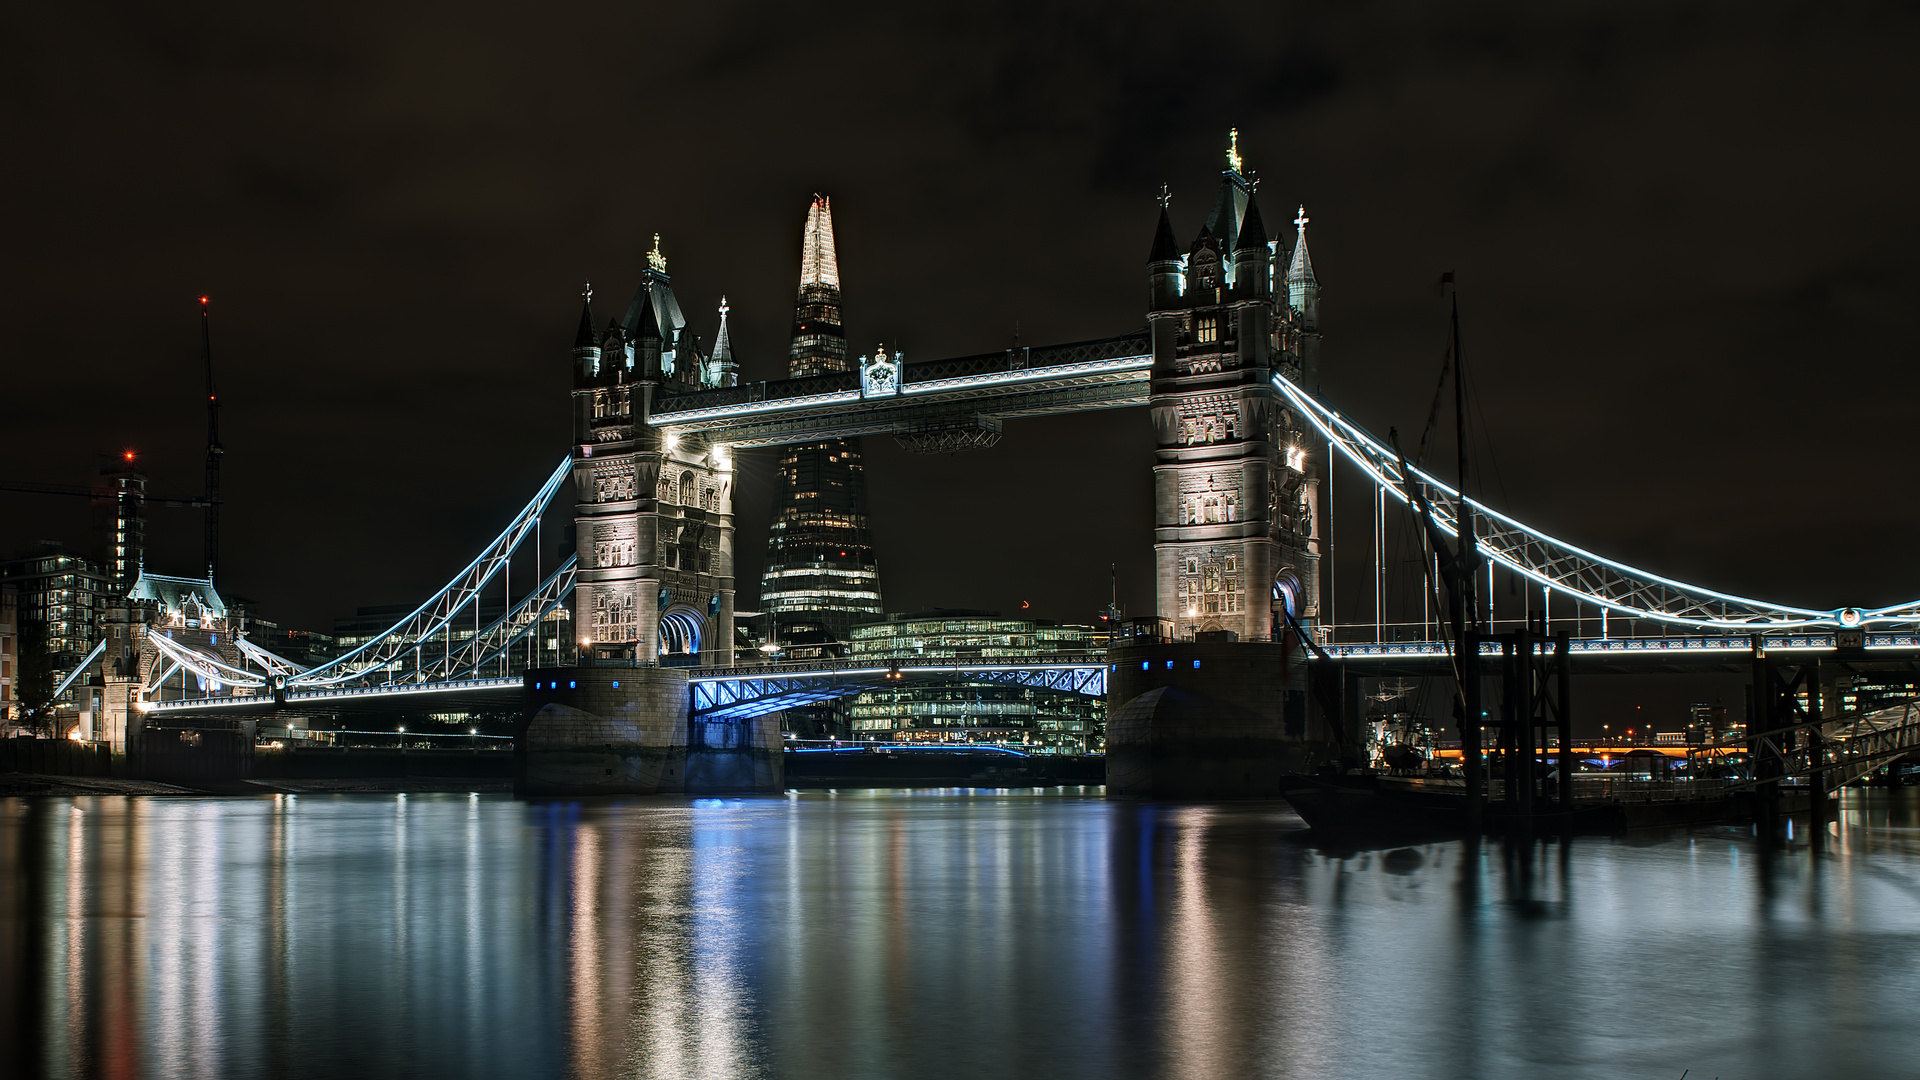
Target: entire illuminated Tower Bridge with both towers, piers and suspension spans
1228	370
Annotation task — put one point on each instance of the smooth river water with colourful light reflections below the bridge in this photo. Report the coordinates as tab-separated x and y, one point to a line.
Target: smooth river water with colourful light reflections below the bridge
930	935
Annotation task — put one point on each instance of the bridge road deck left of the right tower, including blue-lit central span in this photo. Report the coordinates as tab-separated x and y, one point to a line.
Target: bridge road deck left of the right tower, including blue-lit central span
717	693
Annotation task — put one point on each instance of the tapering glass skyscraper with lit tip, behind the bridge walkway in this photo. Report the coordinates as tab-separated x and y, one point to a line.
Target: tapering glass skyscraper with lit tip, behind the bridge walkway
821	572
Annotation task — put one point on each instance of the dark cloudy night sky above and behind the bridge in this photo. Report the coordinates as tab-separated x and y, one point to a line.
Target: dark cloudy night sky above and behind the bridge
1683	233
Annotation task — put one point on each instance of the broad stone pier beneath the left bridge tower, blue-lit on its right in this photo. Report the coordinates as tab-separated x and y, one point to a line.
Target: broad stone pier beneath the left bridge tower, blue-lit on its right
625	731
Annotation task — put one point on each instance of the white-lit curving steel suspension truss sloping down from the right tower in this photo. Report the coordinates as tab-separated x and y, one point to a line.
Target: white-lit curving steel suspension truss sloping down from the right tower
1570	570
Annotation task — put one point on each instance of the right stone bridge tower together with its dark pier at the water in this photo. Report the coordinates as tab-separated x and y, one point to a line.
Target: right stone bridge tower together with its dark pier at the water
1222	712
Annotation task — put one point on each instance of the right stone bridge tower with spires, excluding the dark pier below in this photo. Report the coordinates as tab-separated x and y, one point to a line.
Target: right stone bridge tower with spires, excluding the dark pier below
1236	483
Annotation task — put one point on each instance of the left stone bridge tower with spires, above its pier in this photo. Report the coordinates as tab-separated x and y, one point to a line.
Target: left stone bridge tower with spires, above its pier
654	518
